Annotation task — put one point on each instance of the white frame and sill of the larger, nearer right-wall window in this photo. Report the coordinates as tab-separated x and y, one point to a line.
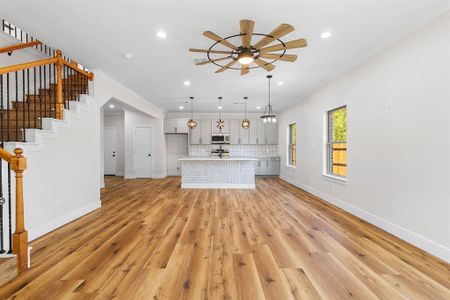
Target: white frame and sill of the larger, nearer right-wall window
329	143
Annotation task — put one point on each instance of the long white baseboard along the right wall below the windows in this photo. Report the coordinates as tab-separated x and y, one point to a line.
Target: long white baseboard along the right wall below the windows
421	242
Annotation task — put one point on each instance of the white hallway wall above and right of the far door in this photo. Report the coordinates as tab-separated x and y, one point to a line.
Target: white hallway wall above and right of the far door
118	121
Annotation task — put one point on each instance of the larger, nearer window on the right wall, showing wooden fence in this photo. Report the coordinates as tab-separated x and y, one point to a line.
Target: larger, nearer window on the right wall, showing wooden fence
337	142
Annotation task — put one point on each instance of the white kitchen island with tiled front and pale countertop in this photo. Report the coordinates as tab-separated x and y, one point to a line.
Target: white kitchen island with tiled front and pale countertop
218	173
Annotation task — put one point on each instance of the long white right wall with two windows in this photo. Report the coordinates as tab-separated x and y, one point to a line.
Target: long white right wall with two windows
398	157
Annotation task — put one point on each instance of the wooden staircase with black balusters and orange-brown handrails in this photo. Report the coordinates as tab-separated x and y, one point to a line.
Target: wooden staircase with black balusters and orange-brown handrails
31	95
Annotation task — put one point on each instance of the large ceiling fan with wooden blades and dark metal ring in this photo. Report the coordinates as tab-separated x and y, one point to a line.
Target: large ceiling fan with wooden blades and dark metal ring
251	56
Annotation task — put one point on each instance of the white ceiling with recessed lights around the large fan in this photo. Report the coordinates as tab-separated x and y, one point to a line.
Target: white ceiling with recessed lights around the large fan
98	33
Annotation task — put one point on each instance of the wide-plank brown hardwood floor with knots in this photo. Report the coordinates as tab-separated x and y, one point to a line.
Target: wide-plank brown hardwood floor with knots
152	240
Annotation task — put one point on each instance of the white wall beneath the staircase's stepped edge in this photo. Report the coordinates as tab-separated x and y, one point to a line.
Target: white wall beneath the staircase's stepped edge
61	179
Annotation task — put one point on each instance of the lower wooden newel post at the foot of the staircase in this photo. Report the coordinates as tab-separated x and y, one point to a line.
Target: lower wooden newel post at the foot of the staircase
20	236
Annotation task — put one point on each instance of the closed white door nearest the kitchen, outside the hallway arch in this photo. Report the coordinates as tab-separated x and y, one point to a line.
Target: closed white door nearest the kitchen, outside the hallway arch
143	165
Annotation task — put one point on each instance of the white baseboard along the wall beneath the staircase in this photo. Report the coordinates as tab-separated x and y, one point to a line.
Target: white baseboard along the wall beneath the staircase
51	225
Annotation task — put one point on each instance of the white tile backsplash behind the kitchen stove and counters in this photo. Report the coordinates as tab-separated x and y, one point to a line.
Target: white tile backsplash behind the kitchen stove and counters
235	150
